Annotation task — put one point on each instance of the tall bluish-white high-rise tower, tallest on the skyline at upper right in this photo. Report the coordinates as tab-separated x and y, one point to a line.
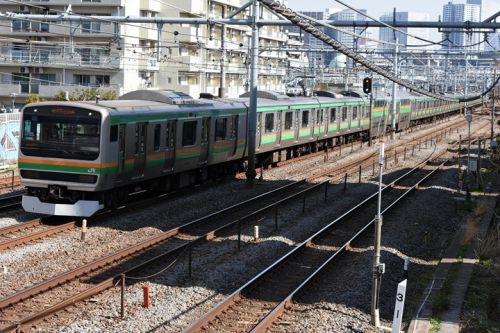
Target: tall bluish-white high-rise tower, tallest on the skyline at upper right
461	13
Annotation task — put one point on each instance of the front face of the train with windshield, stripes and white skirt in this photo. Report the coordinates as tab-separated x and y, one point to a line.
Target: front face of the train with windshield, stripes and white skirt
60	158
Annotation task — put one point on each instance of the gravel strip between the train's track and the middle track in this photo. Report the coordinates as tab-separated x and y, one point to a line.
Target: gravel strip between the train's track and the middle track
115	233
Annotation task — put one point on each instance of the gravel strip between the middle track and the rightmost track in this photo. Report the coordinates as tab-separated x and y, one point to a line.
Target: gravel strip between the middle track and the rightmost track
218	267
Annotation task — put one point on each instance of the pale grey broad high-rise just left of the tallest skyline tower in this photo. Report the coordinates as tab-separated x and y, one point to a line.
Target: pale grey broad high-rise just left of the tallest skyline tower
387	34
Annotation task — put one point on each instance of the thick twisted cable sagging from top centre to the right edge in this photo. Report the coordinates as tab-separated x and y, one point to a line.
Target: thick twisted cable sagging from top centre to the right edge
296	19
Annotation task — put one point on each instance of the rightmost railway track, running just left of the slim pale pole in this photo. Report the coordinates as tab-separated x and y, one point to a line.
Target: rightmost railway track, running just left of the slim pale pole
255	306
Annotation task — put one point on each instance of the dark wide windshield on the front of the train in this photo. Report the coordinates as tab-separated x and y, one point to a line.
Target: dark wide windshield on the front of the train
61	132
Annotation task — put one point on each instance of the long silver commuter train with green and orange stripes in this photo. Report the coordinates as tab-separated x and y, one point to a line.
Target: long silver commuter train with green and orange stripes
77	158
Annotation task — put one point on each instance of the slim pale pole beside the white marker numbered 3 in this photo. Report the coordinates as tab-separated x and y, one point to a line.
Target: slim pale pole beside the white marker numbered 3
378	267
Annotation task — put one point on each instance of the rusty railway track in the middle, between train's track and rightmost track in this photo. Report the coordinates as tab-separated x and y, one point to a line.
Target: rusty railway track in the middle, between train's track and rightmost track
22	308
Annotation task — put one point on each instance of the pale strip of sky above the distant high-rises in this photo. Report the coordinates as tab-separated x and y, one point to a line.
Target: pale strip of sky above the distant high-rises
378	7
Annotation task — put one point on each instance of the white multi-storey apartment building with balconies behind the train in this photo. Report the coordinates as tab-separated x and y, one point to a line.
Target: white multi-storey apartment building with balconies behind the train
47	58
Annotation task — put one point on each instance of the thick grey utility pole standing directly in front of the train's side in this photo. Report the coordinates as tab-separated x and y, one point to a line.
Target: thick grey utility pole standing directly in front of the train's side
252	112
